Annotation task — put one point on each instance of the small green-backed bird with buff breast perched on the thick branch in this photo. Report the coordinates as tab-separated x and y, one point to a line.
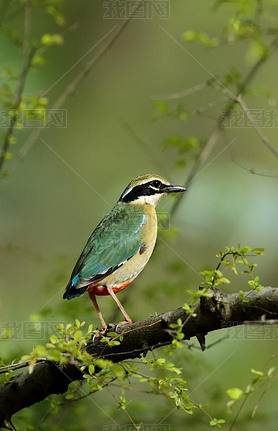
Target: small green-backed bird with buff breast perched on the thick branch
121	244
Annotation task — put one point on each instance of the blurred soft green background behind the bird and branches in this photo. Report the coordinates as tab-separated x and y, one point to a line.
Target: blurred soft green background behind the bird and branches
55	197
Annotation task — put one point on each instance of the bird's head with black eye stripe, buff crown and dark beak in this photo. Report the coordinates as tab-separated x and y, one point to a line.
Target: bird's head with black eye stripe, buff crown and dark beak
148	189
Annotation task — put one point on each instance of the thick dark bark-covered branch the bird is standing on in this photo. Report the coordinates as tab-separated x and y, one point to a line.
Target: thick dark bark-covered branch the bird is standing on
219	311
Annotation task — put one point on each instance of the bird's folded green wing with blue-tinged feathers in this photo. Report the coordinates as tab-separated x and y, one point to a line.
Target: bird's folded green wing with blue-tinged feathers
115	240
